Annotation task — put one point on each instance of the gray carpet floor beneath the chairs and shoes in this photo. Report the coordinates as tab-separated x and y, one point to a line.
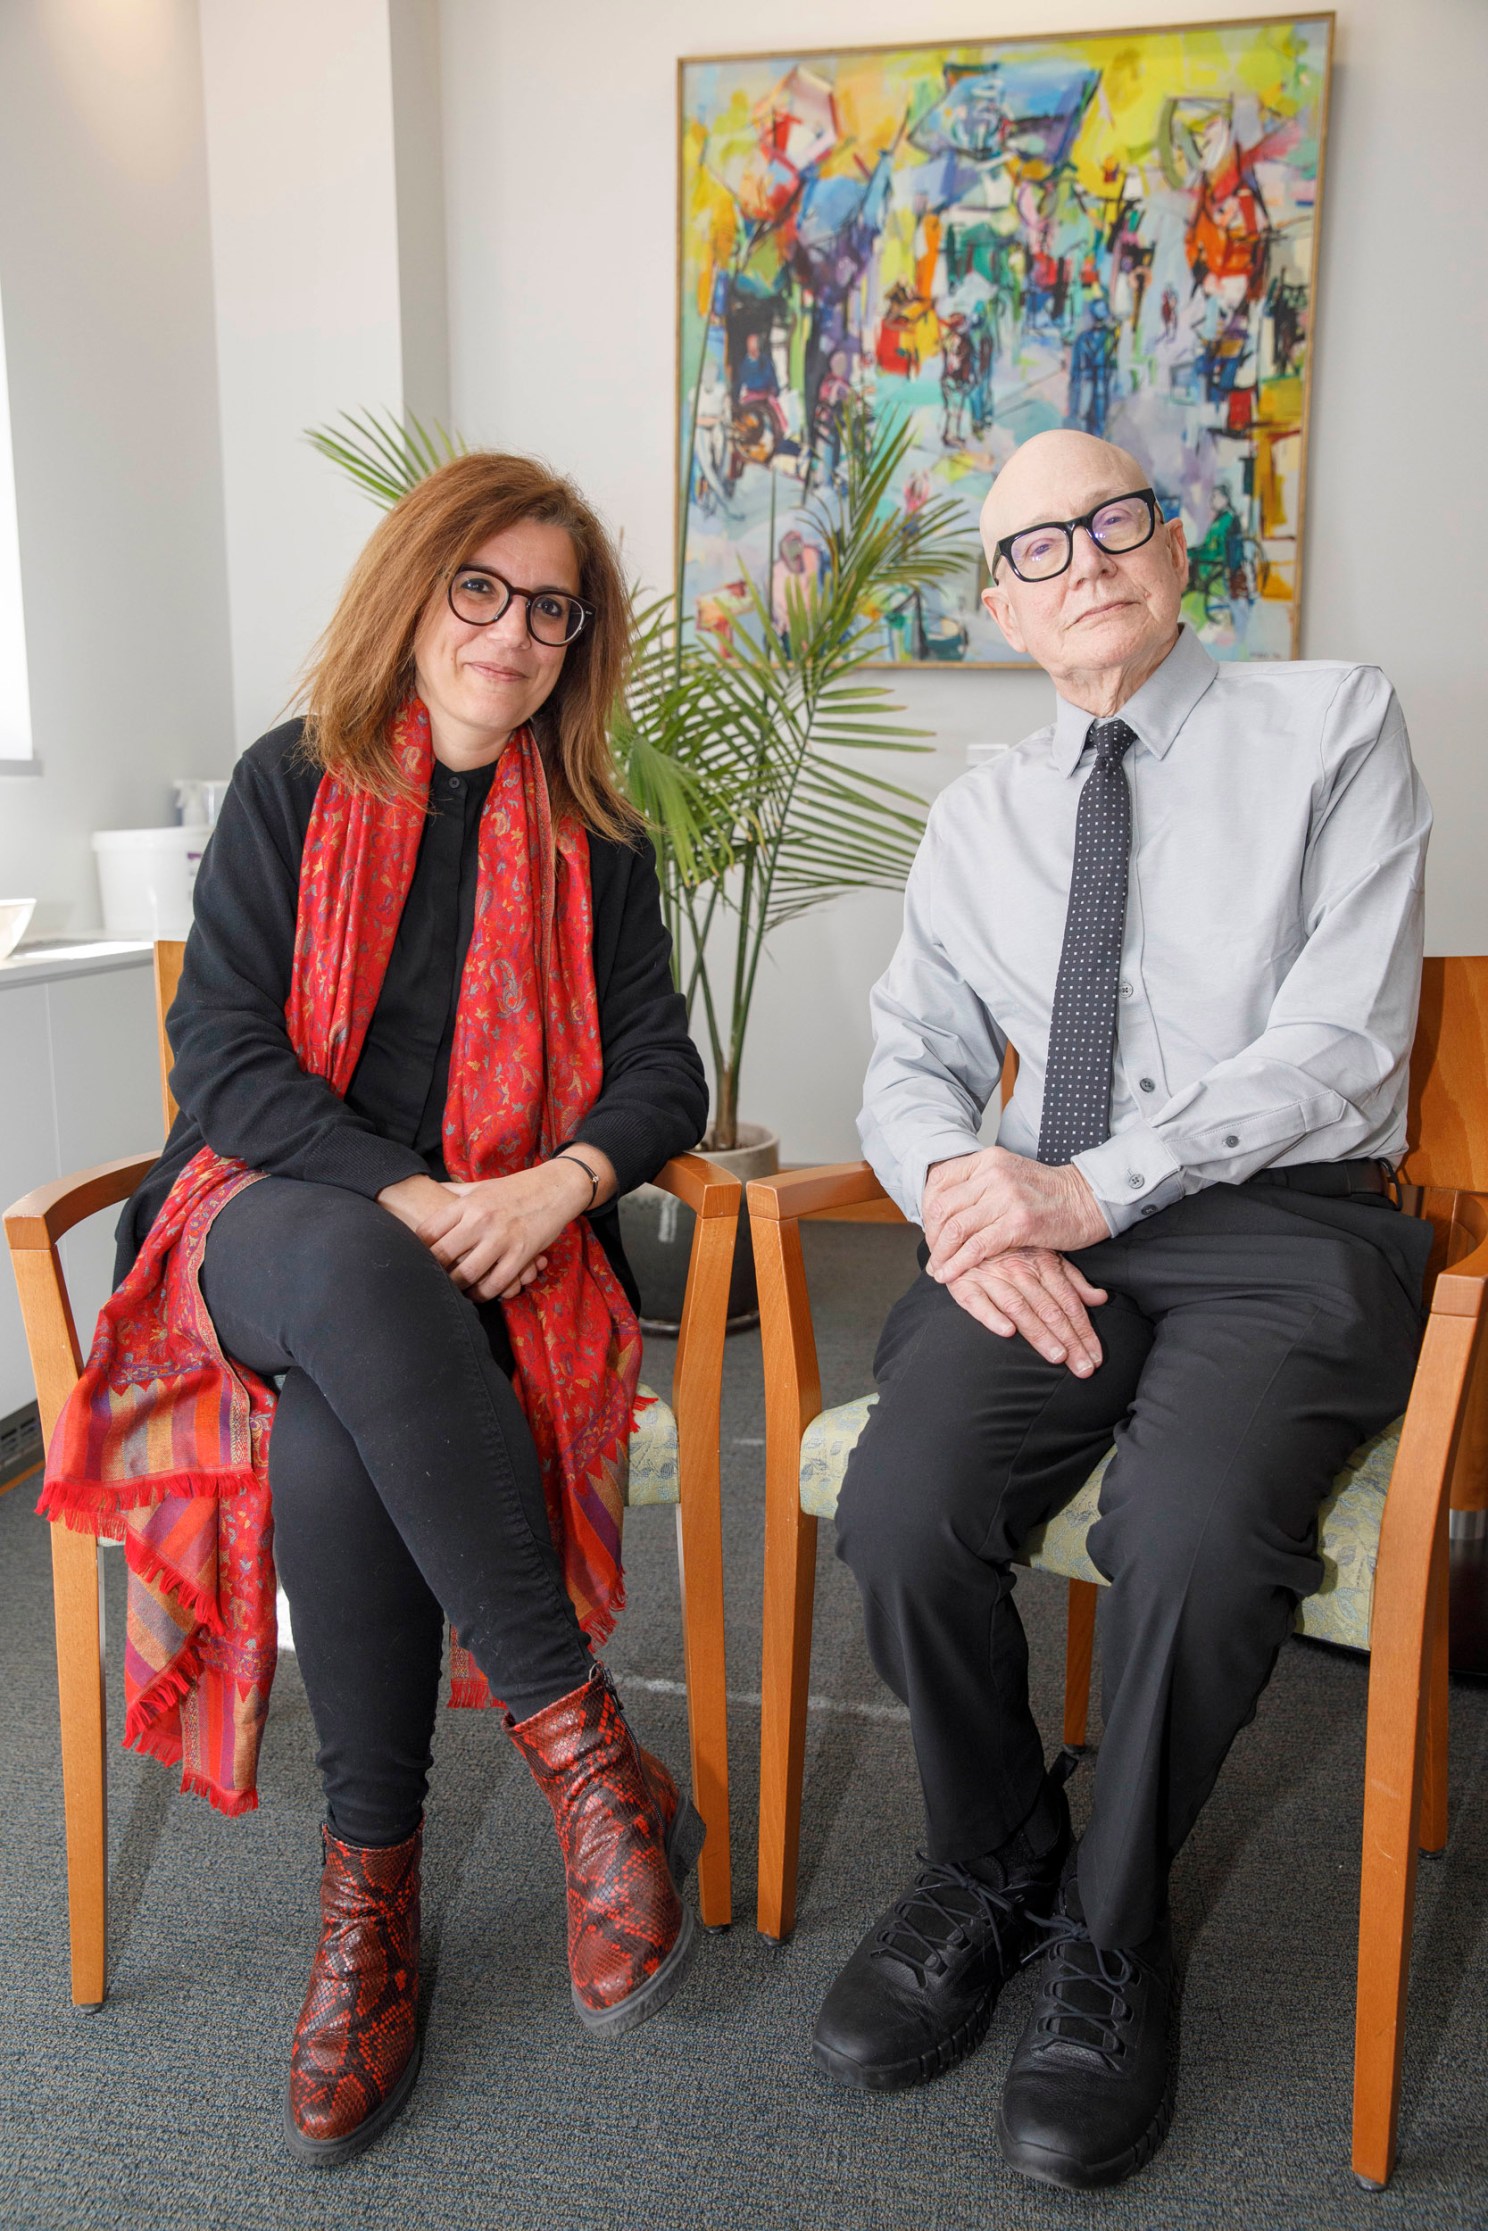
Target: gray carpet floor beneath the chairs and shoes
164	2109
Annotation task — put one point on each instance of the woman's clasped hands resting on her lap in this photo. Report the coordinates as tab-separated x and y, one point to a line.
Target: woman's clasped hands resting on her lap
492	1237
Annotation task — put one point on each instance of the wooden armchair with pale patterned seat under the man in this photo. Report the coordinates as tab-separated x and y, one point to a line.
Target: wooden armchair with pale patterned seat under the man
1386	1556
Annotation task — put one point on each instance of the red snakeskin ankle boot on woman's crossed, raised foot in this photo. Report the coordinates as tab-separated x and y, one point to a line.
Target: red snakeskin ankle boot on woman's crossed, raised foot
628	1842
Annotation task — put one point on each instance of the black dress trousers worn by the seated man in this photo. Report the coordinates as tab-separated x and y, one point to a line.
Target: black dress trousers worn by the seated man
1250	1342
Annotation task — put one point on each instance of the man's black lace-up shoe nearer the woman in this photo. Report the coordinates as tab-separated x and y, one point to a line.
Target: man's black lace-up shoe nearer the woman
920	1991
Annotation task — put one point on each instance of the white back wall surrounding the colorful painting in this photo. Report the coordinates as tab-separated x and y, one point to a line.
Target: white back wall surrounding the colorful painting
574	139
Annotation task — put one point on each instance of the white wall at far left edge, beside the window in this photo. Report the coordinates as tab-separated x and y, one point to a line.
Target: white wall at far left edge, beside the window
113	387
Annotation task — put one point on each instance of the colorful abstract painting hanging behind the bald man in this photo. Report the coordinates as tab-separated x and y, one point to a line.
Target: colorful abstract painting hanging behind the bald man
1112	231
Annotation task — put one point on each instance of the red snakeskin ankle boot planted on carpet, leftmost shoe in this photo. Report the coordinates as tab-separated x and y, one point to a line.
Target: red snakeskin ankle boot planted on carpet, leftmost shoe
356	2045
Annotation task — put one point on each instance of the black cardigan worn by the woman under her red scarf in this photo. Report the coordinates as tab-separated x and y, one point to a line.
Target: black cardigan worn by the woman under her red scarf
235	1074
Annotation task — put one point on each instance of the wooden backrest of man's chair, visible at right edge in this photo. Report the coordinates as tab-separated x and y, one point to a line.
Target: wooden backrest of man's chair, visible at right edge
1449	1076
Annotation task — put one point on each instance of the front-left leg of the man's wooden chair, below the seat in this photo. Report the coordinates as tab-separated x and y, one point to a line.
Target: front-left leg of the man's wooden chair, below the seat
791	1587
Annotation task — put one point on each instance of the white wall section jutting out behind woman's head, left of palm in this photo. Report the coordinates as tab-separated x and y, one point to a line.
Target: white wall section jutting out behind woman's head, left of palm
313	218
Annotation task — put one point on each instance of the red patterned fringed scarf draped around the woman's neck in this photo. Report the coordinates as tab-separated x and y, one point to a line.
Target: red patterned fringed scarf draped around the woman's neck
164	1442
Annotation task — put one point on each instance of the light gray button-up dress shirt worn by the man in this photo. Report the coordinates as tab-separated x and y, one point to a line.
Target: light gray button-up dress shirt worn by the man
1273	952
